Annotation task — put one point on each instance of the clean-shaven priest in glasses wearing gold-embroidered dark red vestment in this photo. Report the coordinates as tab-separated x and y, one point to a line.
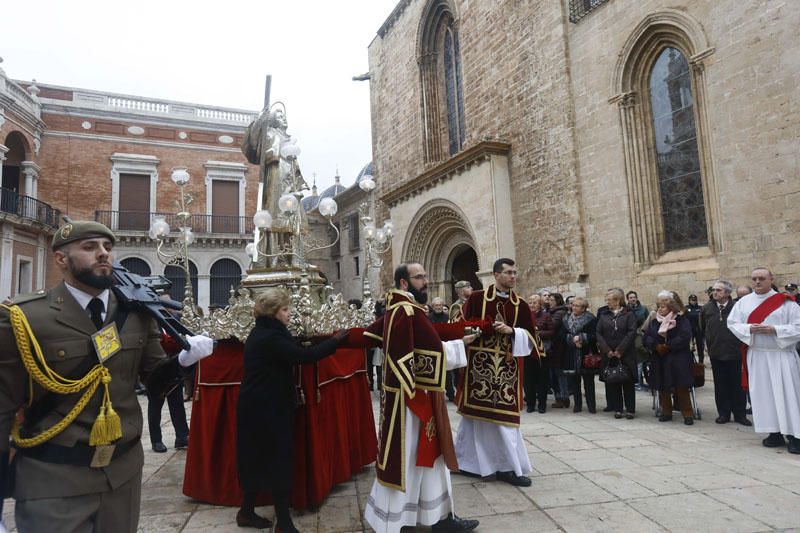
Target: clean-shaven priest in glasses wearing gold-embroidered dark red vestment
489	439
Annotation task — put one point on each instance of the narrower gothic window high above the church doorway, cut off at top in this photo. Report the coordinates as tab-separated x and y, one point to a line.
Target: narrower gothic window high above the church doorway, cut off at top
441	81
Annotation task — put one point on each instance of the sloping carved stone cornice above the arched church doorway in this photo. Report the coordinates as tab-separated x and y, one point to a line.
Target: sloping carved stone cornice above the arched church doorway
446	170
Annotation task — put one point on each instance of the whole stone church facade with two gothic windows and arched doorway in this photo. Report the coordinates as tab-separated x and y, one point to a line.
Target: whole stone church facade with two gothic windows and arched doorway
640	144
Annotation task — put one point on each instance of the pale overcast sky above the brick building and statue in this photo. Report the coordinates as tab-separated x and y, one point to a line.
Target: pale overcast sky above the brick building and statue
215	53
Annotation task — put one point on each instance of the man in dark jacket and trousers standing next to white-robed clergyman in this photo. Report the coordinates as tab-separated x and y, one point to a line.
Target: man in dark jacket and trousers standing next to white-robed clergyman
725	355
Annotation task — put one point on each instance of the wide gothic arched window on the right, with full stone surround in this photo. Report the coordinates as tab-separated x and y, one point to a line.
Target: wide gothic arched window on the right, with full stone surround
668	167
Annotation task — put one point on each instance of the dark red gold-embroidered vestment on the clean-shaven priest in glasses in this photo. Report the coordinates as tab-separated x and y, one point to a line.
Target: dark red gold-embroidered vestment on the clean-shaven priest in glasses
491	387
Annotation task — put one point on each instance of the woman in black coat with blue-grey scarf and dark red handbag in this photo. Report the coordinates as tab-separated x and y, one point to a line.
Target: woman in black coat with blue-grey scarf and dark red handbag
580	330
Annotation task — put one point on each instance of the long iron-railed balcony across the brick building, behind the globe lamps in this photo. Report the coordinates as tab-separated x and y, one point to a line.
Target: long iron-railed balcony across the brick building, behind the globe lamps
138	222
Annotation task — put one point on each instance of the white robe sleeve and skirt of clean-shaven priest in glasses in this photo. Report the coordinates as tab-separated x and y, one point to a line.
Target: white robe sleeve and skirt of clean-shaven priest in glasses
485	448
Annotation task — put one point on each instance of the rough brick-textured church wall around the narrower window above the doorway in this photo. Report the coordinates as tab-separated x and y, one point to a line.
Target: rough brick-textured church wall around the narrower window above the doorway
514	64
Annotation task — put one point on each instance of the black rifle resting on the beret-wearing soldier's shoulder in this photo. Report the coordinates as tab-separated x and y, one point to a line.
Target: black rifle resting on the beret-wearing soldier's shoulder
138	293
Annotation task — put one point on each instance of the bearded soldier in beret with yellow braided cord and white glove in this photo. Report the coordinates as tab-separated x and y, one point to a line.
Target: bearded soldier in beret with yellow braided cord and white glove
71	356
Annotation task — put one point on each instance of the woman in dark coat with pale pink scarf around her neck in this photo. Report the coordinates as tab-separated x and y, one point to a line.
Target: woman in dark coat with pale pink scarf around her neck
668	338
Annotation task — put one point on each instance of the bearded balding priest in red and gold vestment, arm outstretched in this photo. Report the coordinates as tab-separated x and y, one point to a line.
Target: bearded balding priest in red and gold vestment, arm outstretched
415	445
